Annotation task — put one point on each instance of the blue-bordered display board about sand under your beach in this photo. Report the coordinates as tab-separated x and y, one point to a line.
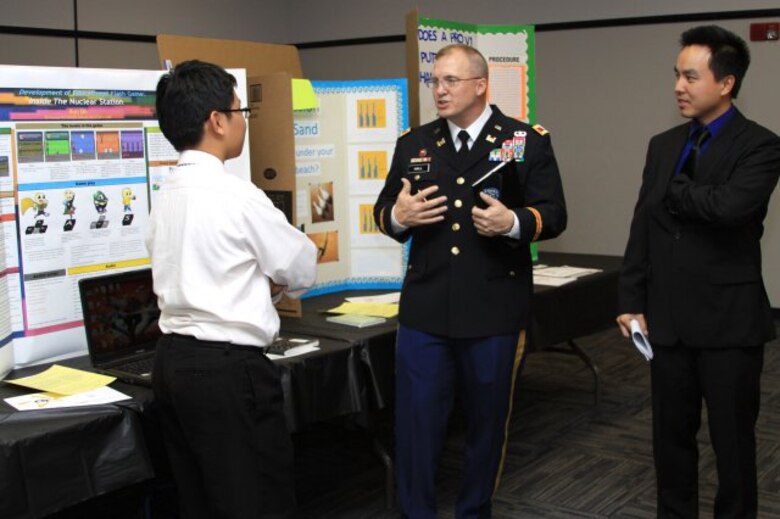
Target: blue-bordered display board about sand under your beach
343	151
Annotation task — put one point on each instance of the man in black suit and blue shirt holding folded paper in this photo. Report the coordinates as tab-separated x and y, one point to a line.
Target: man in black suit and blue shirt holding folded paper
691	277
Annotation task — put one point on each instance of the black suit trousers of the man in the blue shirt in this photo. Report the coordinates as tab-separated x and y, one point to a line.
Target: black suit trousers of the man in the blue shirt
728	380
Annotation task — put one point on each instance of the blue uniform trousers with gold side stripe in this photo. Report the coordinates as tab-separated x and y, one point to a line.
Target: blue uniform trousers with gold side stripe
428	367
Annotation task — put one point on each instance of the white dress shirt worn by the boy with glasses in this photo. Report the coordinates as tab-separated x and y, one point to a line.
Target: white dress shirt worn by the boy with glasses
216	241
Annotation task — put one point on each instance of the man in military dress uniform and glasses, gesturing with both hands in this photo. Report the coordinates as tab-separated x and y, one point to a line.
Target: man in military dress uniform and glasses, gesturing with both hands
466	295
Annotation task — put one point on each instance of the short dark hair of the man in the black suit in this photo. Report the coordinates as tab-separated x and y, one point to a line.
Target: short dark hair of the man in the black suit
730	54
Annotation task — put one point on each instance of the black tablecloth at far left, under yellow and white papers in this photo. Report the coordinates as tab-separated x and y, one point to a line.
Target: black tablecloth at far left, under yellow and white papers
54	458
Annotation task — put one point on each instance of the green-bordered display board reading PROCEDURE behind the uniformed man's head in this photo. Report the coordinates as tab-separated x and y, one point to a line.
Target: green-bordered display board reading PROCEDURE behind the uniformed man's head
509	51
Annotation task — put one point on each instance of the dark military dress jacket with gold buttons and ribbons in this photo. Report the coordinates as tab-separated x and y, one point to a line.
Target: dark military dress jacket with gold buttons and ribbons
459	284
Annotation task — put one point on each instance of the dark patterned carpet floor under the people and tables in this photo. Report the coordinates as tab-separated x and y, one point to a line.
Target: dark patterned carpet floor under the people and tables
566	457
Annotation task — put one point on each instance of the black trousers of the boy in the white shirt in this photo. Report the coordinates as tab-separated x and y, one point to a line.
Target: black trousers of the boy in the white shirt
221	410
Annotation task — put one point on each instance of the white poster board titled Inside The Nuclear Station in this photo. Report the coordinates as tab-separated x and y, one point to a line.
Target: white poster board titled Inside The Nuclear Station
80	155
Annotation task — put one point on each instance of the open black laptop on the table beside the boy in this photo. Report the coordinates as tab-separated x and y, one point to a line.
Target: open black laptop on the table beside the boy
120	321
